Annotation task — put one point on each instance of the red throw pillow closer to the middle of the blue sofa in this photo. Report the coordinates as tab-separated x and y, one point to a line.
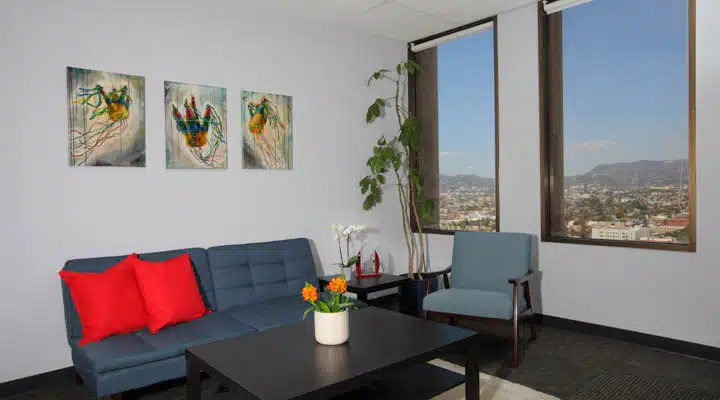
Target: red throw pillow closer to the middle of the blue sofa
170	291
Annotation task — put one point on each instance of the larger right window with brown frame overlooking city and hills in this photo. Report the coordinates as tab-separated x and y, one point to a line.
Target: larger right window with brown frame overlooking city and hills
618	86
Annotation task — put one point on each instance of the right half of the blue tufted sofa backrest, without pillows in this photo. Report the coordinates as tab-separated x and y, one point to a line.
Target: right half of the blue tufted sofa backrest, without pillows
250	273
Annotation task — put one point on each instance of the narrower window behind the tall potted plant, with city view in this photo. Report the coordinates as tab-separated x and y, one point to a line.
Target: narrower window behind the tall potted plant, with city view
454	98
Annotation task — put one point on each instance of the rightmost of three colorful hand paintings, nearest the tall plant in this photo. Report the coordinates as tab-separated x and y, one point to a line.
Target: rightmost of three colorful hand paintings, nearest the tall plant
267	131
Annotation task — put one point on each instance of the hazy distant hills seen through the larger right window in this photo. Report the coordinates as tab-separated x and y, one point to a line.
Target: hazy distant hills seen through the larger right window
636	173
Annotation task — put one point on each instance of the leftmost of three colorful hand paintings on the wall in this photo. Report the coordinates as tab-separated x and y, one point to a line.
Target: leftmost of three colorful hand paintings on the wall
106	118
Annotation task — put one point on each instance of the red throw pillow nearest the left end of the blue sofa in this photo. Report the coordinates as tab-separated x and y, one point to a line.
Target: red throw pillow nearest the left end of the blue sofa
108	303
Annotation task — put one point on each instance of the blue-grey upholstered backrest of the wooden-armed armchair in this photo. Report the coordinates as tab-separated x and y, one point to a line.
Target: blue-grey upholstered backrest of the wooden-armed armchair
486	260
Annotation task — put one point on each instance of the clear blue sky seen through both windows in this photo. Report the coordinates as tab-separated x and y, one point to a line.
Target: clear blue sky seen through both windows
625	91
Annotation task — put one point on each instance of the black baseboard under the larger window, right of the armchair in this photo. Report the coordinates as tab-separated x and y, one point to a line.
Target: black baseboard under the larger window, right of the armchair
659	342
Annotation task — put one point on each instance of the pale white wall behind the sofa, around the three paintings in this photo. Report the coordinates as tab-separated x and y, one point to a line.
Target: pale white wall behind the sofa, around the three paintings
50	212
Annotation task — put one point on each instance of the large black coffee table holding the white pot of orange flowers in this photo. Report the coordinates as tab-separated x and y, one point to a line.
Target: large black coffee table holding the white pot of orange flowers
287	363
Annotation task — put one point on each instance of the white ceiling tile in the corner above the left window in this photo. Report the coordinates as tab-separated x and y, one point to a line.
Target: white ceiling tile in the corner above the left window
399	22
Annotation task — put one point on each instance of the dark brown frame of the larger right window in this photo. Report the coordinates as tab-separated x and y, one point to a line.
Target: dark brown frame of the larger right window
545	149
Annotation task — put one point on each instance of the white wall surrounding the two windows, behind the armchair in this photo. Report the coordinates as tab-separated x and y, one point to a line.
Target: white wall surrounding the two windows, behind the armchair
663	293
